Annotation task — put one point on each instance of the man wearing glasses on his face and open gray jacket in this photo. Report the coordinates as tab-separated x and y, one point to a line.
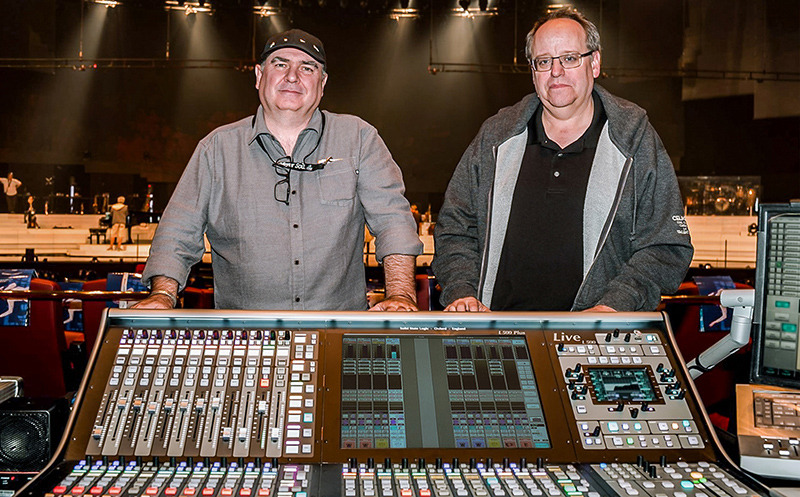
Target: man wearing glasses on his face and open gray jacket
566	200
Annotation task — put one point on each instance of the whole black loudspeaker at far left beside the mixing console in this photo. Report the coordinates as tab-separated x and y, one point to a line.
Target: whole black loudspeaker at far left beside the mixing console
30	430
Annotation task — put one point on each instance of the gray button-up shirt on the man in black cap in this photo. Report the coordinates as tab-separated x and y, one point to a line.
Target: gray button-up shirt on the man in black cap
269	255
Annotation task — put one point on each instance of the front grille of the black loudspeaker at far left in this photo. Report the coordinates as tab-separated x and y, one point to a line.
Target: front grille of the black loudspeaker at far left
24	441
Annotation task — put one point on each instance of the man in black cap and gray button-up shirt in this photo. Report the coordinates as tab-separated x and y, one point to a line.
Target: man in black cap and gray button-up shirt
283	197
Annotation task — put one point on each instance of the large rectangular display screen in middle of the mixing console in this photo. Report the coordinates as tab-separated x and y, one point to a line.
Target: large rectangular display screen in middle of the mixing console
418	391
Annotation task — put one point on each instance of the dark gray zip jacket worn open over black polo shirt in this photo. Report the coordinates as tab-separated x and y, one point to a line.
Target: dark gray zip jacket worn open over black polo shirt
636	243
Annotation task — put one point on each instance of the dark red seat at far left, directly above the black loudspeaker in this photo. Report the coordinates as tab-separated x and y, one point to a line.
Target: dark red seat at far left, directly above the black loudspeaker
35	352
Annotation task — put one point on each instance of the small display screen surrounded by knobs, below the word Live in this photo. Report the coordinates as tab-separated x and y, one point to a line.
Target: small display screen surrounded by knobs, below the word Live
622	385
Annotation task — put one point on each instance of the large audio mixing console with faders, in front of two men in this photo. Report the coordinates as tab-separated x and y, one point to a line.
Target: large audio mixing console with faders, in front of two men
305	404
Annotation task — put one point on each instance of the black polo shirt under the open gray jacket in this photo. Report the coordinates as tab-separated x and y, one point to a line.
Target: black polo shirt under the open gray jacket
541	265
